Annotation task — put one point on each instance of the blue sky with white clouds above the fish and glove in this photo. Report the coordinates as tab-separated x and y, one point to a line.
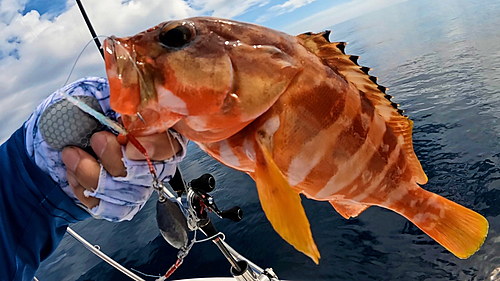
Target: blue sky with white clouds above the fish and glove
41	39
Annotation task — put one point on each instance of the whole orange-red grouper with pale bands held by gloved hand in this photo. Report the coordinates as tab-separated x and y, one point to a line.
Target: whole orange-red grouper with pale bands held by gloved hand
294	112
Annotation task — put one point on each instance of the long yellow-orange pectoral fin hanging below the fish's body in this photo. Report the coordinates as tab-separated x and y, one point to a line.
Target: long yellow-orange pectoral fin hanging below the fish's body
282	205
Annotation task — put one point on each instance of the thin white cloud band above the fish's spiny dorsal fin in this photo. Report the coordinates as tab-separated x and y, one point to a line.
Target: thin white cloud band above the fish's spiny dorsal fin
338	14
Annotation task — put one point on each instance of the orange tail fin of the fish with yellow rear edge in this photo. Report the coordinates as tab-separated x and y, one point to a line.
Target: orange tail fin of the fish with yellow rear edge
460	230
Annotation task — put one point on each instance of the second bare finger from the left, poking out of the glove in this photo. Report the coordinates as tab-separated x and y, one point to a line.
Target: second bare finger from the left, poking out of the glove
109	152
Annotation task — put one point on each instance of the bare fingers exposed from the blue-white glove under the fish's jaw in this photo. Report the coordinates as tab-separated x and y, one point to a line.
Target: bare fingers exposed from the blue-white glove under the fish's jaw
83	170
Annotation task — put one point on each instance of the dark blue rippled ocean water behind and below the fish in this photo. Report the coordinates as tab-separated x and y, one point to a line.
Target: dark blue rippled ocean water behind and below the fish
441	61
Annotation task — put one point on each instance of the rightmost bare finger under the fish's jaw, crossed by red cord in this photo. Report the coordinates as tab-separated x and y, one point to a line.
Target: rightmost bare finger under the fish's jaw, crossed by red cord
160	147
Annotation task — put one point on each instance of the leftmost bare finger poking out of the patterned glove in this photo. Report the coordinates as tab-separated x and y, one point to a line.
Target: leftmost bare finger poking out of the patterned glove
84	168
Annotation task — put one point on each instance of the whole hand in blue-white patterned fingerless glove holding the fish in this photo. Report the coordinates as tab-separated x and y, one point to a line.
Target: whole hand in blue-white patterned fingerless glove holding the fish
117	185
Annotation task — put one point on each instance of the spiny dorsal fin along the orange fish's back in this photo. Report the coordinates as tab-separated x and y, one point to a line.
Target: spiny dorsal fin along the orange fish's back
333	55
